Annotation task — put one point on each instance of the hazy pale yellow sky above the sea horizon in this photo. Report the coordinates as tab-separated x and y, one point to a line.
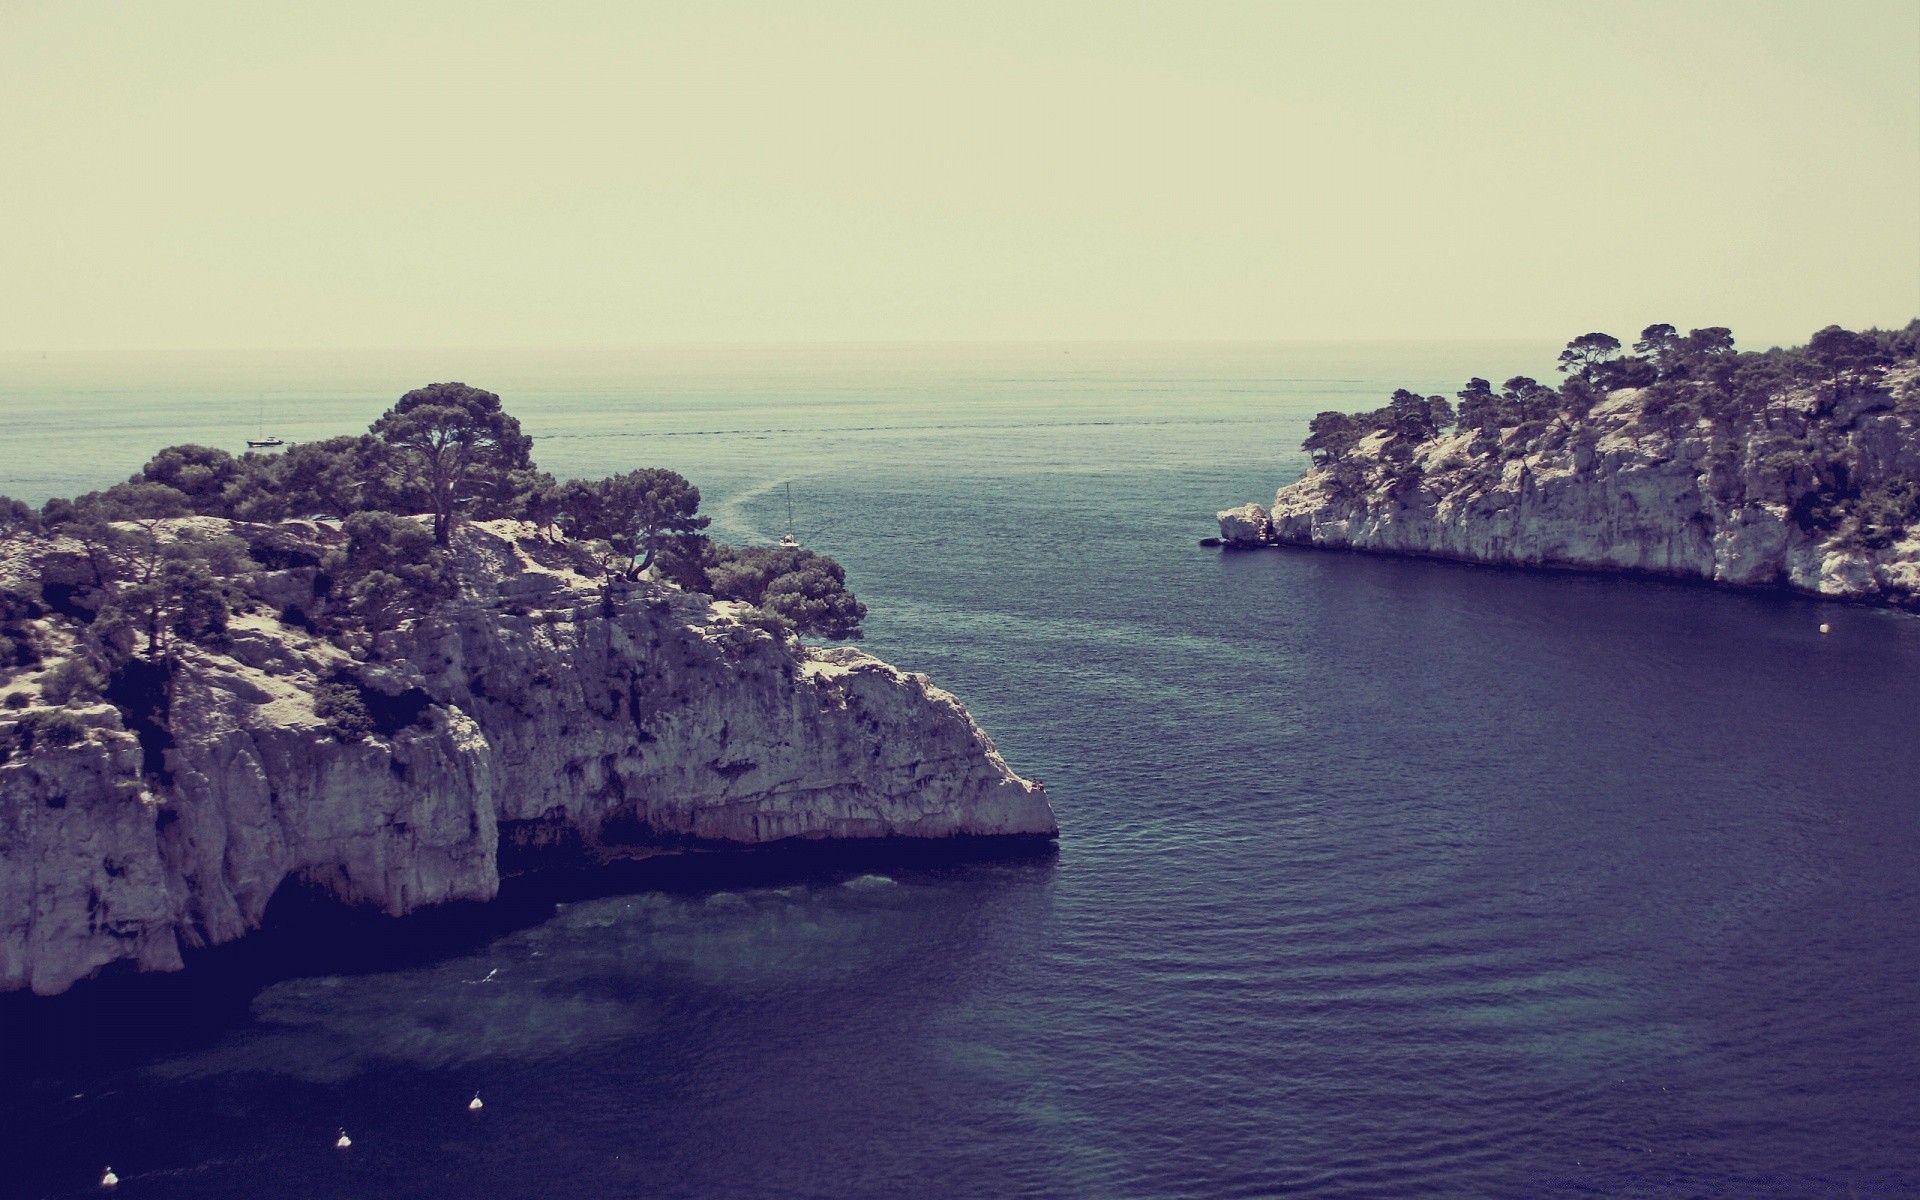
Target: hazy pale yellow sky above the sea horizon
254	176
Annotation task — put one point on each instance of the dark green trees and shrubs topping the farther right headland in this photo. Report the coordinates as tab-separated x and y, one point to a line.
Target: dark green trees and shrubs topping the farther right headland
1694	381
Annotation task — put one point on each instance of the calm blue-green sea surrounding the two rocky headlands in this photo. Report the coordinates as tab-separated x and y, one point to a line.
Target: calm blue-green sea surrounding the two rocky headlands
1376	878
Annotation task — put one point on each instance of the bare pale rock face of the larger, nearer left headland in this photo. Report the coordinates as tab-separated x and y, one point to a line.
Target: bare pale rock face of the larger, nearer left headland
527	719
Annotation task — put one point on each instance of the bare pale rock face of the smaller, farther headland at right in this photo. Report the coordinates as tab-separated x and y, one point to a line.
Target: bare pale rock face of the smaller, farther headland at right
1629	489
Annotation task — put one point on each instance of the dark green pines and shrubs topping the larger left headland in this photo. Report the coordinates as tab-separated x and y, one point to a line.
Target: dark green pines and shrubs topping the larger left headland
448	454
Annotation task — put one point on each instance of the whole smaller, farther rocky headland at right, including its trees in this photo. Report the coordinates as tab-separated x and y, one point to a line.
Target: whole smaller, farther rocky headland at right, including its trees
1788	469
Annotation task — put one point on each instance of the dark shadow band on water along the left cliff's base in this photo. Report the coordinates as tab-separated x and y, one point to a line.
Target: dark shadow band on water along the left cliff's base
124	1017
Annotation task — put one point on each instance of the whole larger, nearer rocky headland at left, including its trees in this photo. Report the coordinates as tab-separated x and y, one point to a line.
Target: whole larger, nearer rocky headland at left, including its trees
199	713
